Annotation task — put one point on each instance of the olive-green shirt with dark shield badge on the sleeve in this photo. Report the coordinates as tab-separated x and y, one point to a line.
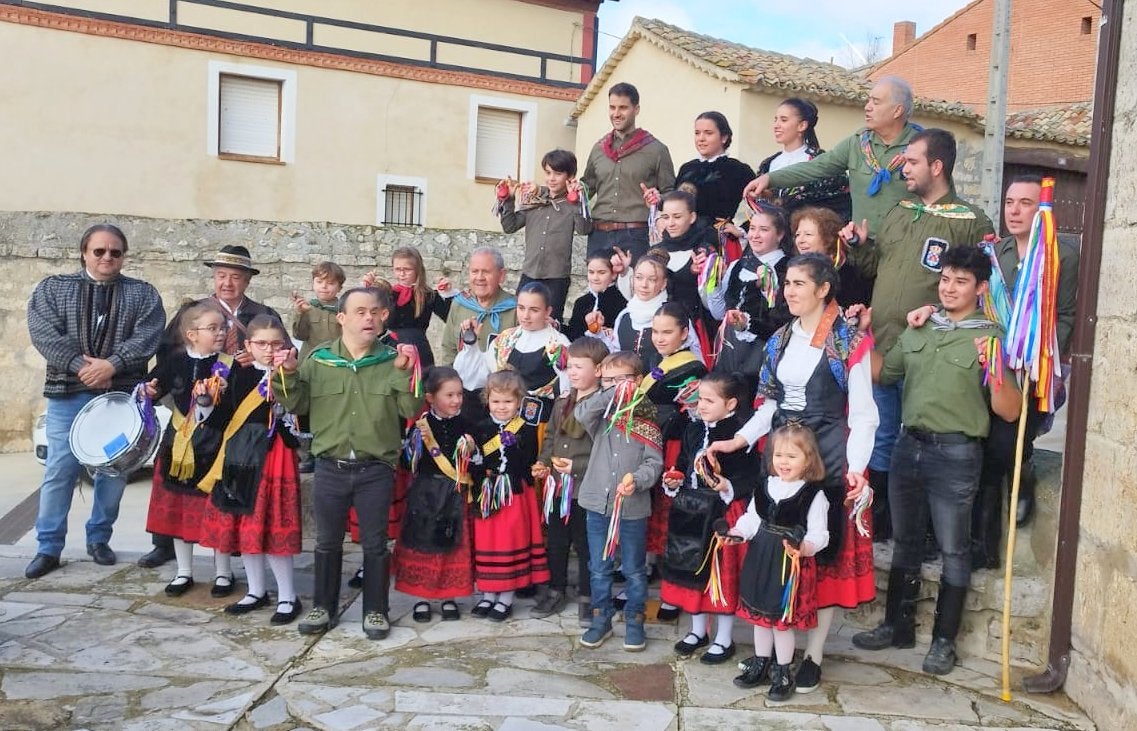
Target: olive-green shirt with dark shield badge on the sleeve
909	247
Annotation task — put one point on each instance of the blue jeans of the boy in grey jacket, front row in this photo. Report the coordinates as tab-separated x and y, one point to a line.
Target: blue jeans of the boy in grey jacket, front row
634	558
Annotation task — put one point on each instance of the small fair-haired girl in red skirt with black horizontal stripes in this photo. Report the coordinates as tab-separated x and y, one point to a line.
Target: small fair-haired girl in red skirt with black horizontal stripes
509	545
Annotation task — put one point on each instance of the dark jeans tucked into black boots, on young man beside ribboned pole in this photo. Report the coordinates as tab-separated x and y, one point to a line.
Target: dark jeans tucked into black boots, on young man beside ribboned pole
940	480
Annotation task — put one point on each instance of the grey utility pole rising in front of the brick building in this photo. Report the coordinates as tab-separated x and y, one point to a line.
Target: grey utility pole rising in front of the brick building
995	132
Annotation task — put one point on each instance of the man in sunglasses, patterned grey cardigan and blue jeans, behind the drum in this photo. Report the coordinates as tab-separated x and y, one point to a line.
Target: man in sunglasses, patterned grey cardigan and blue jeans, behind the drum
97	330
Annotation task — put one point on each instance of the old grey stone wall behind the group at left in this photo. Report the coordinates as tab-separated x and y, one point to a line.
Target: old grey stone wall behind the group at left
169	254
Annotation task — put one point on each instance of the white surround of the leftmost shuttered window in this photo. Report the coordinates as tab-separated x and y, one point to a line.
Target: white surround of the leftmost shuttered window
287	79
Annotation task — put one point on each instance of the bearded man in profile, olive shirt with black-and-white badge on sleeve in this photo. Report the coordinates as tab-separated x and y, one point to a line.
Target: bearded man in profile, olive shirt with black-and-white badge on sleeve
911	243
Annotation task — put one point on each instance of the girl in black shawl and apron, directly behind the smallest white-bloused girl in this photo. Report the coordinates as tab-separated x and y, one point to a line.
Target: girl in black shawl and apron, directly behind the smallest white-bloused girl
702	494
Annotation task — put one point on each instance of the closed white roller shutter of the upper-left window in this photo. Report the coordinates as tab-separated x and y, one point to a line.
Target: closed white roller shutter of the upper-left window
251	117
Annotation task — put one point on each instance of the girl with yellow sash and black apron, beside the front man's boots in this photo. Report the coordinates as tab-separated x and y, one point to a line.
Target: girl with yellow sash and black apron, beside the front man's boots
434	556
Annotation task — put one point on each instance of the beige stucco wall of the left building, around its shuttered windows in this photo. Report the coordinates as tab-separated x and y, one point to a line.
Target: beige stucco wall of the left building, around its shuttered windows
105	126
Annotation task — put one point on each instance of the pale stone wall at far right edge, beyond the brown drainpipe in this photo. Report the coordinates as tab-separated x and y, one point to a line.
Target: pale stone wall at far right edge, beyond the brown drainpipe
1103	670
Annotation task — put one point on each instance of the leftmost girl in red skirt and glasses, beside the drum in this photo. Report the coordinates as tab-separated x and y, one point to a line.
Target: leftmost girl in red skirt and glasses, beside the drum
196	380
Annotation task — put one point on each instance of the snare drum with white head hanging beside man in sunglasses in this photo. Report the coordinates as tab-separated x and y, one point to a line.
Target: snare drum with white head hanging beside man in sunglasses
111	437
